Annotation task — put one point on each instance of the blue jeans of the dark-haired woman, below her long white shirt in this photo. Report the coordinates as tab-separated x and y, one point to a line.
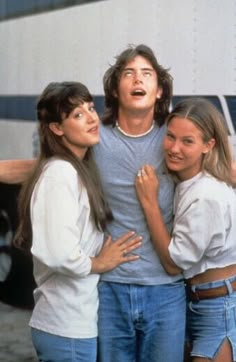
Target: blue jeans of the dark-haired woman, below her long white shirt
52	348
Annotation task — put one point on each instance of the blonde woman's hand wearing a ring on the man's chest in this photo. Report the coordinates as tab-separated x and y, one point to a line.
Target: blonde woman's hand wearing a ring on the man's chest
147	185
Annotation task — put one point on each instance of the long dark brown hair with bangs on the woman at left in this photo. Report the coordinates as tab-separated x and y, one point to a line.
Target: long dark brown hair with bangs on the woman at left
54	105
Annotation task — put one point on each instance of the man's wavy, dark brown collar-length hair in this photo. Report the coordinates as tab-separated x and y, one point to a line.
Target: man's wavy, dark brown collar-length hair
111	81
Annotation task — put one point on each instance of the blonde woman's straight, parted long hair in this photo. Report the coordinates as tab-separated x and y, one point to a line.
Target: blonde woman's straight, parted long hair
210	121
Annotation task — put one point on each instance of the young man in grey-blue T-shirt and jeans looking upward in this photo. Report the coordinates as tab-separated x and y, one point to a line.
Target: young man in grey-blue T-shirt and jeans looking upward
136	322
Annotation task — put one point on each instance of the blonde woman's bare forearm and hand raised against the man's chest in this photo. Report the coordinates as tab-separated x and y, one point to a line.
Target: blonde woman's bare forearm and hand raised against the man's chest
147	188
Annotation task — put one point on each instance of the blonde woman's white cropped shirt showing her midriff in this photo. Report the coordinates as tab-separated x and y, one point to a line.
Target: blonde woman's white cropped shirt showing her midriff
204	232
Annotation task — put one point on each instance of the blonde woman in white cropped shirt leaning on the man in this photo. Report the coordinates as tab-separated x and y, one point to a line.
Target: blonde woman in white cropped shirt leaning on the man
202	244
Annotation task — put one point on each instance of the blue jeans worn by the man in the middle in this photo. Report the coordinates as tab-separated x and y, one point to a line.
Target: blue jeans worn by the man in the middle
141	323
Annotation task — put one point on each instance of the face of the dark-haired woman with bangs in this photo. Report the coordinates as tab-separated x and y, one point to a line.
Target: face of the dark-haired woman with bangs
80	129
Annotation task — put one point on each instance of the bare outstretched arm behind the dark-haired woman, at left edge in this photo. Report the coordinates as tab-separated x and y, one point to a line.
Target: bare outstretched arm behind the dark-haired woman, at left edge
15	171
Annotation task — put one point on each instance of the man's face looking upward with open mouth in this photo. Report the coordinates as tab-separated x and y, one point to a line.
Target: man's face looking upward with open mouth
138	86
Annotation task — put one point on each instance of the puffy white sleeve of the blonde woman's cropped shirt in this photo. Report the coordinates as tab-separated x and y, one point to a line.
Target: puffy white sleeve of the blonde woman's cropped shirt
199	231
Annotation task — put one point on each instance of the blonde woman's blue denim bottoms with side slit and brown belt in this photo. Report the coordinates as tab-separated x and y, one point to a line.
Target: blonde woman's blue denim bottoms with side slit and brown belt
211	321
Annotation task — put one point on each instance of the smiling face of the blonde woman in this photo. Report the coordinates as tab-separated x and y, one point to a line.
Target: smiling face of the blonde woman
184	148
